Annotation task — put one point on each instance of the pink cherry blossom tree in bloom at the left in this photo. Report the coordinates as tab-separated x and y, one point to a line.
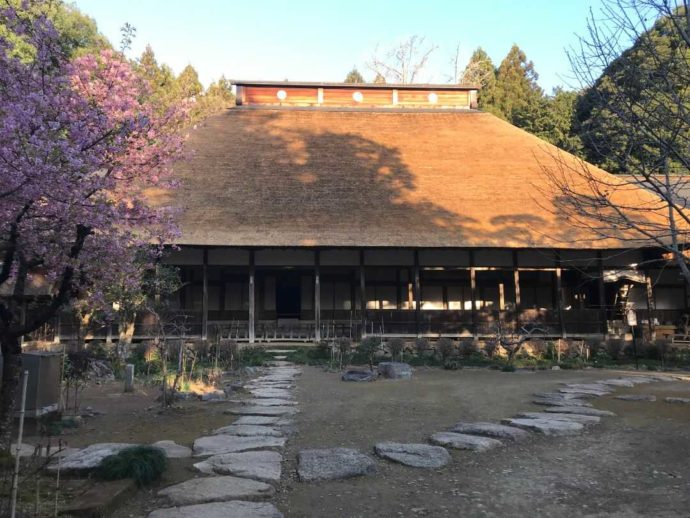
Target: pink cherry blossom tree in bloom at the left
80	150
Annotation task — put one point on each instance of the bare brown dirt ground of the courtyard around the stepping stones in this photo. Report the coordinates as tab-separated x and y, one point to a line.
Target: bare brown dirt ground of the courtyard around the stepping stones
636	464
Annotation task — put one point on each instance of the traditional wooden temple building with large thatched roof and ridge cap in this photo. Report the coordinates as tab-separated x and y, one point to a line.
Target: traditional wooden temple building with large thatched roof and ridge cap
313	210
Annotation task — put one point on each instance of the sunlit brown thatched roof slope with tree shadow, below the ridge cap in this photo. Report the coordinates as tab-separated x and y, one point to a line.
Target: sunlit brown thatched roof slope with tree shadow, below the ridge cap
319	177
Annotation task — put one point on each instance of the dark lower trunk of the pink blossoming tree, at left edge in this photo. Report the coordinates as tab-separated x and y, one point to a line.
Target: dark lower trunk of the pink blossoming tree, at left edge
11	370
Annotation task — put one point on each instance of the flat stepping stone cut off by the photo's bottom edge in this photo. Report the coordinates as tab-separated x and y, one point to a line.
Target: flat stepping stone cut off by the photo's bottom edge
232	509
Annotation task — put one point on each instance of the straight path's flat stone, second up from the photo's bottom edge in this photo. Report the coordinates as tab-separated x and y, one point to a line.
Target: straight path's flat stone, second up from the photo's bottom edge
216	489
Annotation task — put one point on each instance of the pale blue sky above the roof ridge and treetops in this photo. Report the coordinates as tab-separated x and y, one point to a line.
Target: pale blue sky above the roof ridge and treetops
322	40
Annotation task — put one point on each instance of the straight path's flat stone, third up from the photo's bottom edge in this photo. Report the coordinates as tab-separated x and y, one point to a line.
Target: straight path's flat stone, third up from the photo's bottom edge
257	465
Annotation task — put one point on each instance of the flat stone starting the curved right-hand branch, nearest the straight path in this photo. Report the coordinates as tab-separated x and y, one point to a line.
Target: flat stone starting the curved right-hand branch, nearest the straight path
333	464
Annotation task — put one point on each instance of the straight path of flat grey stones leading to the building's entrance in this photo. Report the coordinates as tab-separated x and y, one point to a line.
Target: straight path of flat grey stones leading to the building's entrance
243	459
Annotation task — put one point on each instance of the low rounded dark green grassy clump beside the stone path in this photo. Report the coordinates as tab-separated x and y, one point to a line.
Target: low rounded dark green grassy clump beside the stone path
143	464
